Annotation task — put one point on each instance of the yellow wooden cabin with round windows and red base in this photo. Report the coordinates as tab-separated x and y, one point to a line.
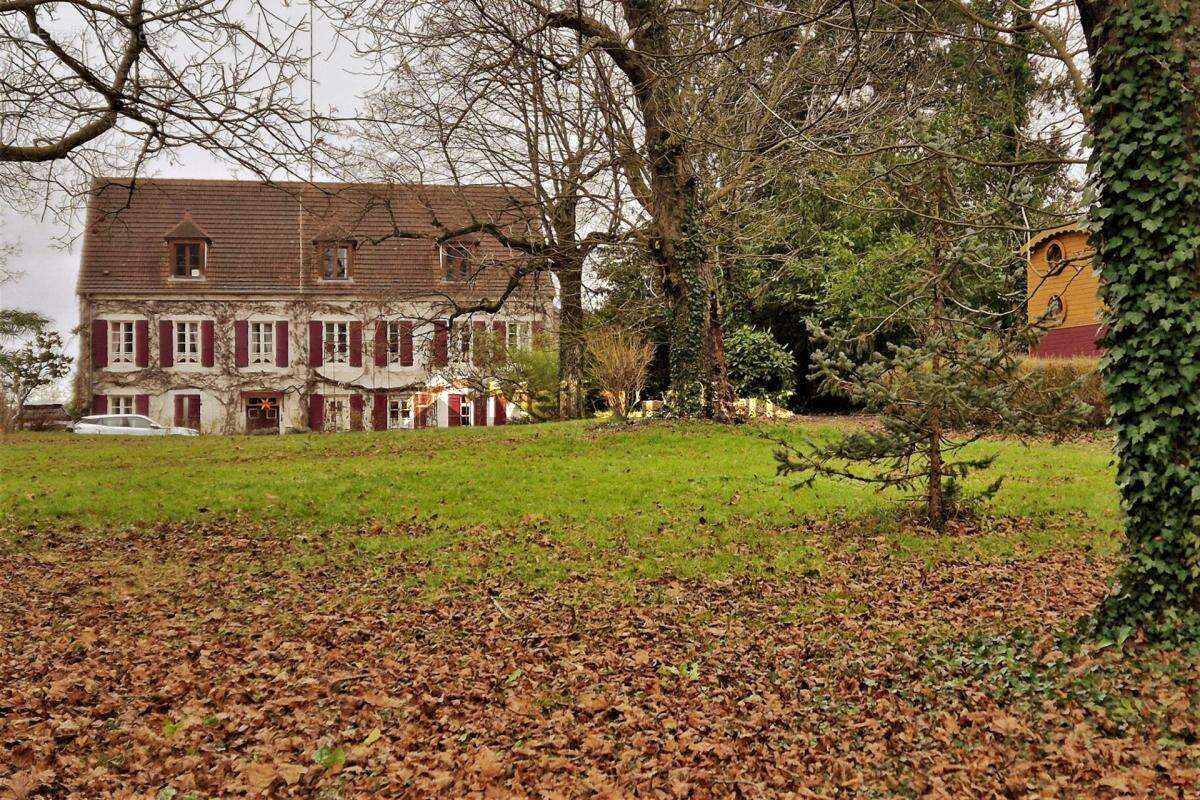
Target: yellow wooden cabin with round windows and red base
1064	293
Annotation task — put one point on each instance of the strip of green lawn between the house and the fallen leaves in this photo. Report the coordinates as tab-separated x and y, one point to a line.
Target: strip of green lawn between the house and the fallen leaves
549	501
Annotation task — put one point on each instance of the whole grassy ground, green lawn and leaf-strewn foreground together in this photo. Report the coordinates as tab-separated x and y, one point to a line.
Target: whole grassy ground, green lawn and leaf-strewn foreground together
562	611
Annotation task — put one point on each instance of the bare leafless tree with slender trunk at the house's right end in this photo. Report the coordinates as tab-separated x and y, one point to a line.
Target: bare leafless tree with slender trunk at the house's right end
466	106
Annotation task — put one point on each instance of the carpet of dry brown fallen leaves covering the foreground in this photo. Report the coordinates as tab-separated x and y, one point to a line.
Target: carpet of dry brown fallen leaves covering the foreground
182	661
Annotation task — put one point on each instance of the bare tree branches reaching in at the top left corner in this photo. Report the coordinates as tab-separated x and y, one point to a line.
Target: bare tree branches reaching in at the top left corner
103	86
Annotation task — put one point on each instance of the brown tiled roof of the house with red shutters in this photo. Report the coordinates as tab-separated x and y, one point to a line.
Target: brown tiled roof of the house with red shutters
259	234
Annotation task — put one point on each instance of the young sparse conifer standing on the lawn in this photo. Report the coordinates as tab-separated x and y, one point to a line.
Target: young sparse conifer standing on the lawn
953	377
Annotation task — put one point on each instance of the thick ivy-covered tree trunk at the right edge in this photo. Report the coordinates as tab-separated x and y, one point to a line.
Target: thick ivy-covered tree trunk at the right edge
1147	164
